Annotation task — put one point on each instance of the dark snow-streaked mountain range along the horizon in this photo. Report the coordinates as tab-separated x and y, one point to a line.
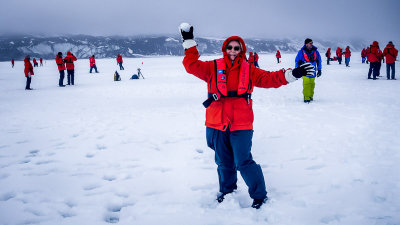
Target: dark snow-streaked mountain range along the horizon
83	46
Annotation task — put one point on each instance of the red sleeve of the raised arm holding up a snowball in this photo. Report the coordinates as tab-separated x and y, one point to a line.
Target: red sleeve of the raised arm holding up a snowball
193	65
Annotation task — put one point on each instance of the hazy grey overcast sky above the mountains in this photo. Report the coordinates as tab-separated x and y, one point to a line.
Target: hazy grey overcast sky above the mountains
343	19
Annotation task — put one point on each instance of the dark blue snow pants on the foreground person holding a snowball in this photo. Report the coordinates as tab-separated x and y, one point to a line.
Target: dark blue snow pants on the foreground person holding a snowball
232	153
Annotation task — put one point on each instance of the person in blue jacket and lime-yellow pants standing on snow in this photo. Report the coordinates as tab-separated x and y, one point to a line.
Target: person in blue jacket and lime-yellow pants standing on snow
309	53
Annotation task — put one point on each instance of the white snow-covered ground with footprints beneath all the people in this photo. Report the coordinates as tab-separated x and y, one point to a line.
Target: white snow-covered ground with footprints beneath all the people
134	151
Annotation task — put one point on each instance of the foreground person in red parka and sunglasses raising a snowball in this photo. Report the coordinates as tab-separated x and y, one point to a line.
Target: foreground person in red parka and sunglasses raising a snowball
229	112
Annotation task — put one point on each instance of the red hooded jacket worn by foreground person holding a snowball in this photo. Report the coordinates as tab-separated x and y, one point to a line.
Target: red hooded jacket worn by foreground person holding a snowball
233	112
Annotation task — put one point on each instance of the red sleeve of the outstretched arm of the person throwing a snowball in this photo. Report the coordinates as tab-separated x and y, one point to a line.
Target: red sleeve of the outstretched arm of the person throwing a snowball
266	79
